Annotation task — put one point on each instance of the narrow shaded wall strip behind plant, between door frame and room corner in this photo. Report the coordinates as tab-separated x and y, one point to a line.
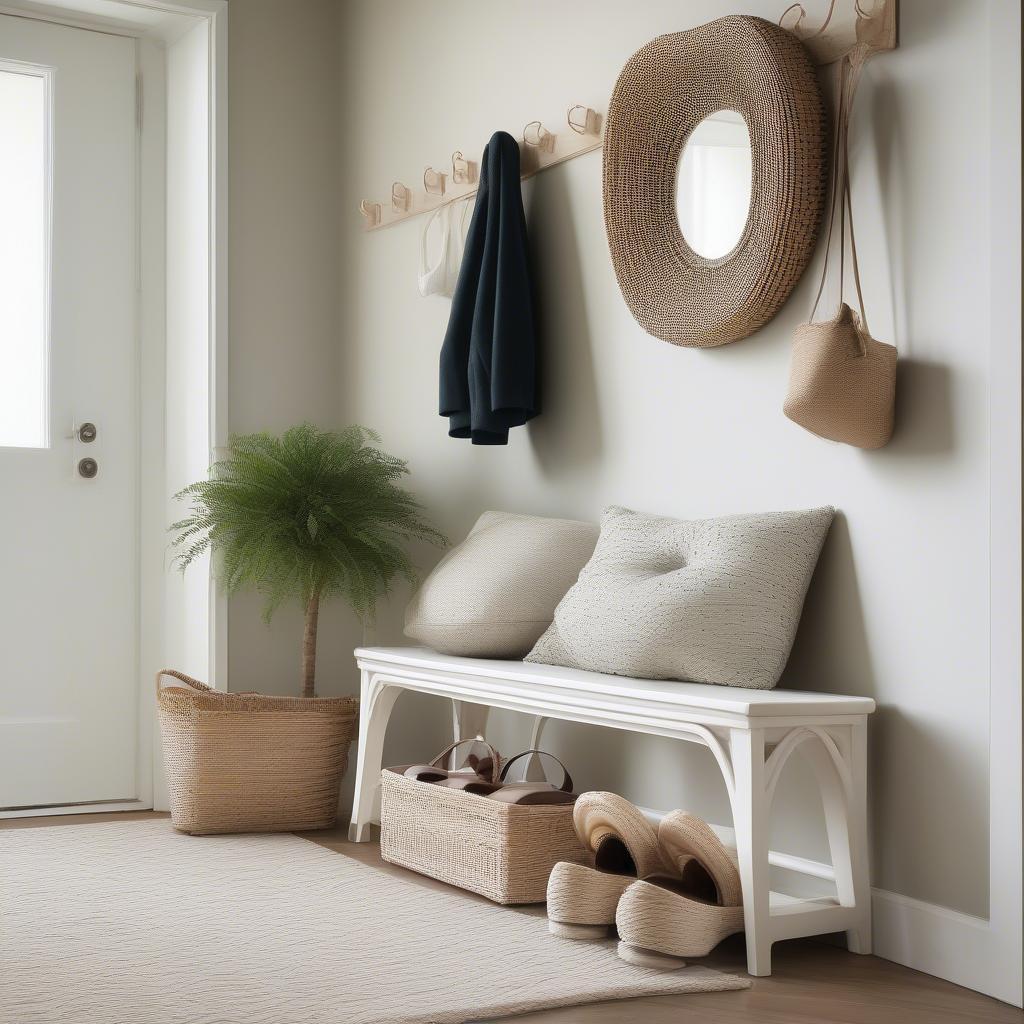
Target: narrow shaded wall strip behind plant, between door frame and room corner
284	269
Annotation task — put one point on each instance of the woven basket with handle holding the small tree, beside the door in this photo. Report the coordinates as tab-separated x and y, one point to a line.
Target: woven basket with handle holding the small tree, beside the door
245	762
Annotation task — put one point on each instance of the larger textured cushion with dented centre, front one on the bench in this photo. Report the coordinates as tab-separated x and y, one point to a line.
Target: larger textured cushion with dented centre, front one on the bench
709	602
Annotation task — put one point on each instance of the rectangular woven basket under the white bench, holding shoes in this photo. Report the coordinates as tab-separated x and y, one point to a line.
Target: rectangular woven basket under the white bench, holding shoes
502	851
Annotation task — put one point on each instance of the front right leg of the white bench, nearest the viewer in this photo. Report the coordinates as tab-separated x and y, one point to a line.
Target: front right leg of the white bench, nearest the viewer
750	814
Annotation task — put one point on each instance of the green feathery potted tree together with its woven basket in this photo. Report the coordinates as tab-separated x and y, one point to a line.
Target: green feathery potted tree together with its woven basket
307	517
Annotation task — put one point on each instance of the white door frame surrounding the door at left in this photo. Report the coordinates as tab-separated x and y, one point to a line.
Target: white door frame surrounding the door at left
158	26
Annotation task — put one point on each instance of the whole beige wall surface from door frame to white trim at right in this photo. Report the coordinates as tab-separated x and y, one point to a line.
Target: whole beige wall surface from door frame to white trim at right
327	325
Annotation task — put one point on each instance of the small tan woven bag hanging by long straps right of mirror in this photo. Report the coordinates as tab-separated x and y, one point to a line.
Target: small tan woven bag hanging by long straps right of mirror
842	380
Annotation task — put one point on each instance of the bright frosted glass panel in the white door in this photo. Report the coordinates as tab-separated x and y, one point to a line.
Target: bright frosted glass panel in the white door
24	272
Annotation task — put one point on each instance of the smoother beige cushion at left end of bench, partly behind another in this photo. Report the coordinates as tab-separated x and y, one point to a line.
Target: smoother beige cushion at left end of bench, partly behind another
496	593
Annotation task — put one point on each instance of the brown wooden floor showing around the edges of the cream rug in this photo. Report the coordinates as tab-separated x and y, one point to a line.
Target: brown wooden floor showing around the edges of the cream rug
813	982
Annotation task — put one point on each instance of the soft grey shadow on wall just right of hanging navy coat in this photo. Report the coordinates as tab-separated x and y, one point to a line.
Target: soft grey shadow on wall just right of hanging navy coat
567	438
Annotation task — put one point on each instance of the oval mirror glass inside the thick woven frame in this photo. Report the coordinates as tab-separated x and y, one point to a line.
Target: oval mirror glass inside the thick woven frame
713	185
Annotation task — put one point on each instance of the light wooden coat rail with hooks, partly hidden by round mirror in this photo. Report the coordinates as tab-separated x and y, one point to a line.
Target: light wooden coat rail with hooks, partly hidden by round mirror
860	28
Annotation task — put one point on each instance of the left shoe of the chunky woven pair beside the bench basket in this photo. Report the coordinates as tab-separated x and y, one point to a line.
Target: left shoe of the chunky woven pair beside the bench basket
582	901
